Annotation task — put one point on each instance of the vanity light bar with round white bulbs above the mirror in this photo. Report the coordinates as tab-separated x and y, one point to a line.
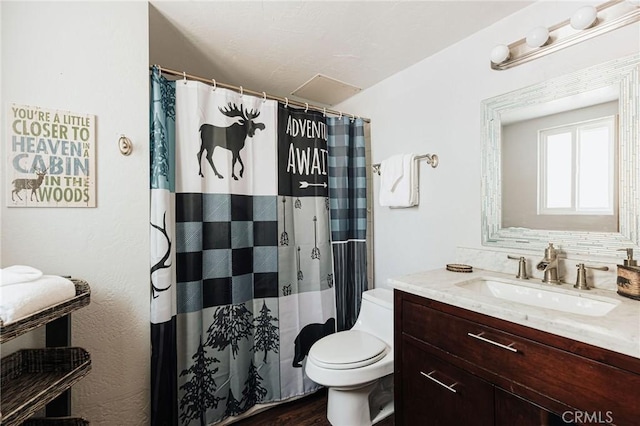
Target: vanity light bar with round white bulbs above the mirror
586	22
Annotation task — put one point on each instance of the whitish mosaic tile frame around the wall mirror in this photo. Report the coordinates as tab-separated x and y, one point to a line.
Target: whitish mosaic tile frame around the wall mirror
624	73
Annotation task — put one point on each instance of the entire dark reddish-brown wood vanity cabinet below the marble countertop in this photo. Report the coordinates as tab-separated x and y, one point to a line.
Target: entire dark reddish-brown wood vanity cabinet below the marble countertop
503	373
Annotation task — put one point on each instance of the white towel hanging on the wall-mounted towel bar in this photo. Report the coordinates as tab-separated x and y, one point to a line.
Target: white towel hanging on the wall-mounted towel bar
404	191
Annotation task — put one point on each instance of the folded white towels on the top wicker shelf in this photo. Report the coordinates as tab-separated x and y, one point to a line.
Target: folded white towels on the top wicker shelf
22	299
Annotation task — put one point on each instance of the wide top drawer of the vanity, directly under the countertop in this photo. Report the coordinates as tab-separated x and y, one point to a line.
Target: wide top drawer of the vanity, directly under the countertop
578	382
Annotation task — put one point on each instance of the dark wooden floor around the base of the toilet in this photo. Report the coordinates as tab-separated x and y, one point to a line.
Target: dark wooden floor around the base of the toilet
307	411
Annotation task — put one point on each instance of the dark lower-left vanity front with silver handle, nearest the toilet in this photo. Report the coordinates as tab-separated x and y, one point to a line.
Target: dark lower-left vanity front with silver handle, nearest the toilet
435	393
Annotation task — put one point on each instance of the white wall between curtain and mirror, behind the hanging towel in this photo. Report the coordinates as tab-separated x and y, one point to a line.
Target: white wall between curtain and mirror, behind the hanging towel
434	107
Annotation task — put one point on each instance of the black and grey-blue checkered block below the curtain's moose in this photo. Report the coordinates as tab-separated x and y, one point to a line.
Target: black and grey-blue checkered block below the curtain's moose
227	250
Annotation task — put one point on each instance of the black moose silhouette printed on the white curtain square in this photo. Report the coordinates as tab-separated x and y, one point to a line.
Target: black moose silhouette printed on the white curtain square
232	138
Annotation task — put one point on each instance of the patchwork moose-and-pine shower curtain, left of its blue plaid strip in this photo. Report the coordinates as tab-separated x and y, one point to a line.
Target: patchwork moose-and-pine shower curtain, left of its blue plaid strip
242	273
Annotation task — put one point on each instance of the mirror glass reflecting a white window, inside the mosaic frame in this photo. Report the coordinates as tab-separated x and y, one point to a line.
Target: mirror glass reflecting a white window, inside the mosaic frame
559	170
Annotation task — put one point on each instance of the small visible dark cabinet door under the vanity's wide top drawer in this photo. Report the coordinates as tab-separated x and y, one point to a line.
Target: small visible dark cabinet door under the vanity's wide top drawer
512	410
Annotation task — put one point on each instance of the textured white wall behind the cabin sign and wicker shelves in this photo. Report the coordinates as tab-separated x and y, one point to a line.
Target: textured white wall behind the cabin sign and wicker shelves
90	57
